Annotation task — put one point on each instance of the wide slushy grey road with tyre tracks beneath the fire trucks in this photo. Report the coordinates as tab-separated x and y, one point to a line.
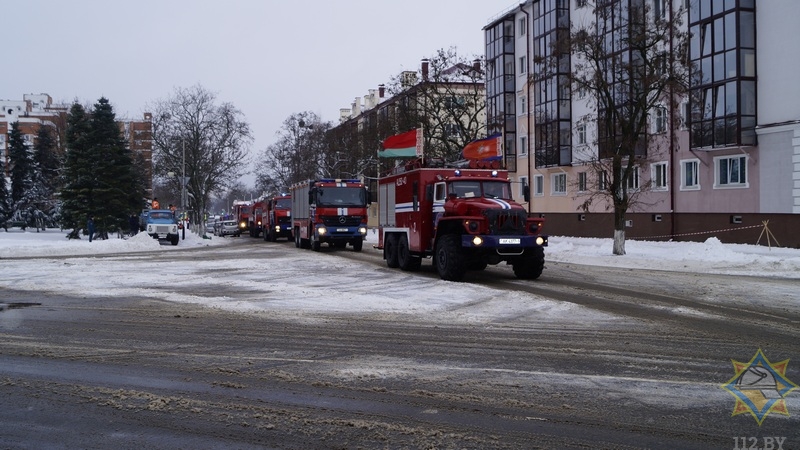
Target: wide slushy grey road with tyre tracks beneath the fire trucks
259	345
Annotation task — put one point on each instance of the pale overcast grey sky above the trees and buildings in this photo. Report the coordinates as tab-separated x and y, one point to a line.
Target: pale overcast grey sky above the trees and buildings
269	58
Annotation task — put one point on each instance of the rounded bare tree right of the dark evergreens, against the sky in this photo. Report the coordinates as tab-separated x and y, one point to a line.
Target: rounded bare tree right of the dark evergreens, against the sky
209	141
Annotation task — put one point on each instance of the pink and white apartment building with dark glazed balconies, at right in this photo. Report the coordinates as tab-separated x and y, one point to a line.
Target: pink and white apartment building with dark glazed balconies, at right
723	158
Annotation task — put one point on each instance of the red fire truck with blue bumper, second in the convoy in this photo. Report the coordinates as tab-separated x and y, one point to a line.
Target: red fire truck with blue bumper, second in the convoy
329	210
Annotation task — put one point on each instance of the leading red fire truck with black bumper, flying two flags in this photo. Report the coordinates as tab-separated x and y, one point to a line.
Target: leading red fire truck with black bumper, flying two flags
464	219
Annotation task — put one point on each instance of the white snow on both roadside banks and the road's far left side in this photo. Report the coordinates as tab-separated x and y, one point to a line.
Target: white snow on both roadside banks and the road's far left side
276	286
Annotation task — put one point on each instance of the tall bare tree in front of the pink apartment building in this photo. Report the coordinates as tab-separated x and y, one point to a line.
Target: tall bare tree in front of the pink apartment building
631	60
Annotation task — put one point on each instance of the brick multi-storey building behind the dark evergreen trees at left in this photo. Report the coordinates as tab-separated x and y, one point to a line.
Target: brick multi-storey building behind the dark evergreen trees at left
37	110
